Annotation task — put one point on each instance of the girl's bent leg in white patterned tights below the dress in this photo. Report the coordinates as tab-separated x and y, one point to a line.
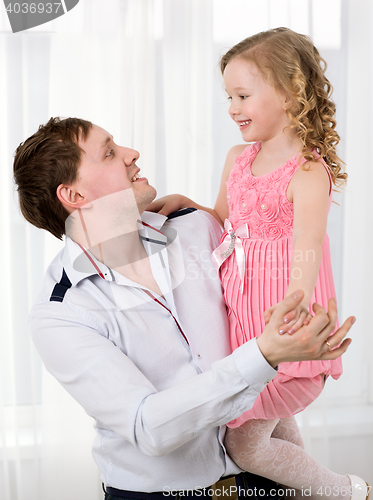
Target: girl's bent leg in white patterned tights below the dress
254	449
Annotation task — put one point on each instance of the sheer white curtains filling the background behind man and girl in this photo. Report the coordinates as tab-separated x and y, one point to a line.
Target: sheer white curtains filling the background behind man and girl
146	70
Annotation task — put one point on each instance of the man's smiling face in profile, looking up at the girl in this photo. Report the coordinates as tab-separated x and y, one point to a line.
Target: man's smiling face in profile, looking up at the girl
107	168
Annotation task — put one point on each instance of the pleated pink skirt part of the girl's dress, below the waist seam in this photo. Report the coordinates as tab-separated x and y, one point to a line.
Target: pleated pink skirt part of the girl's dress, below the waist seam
266	280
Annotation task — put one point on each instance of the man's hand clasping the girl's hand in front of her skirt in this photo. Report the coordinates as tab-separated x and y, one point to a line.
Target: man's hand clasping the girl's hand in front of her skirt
309	342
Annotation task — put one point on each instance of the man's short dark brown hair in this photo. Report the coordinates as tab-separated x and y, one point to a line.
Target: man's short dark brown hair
48	158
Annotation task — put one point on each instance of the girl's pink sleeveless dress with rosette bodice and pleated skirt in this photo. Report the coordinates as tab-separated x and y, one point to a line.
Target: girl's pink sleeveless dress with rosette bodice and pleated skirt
255	268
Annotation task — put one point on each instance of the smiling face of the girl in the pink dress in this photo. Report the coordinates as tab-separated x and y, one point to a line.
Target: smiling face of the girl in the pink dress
256	107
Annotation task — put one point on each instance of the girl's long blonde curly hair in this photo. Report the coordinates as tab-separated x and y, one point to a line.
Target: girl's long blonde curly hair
291	64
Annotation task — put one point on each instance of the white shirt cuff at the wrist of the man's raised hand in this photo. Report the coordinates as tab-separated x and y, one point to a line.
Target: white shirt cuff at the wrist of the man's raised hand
253	366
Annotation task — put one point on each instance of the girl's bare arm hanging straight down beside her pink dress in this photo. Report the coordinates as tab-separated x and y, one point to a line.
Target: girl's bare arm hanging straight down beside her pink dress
309	191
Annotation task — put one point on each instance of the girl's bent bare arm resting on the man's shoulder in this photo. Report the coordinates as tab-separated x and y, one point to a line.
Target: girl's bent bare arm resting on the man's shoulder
170	203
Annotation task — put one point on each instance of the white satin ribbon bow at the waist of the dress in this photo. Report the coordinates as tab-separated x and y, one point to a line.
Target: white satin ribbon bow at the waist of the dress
233	243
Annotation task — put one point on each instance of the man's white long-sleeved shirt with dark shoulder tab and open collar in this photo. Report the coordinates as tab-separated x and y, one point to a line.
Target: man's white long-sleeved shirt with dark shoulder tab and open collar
156	375
